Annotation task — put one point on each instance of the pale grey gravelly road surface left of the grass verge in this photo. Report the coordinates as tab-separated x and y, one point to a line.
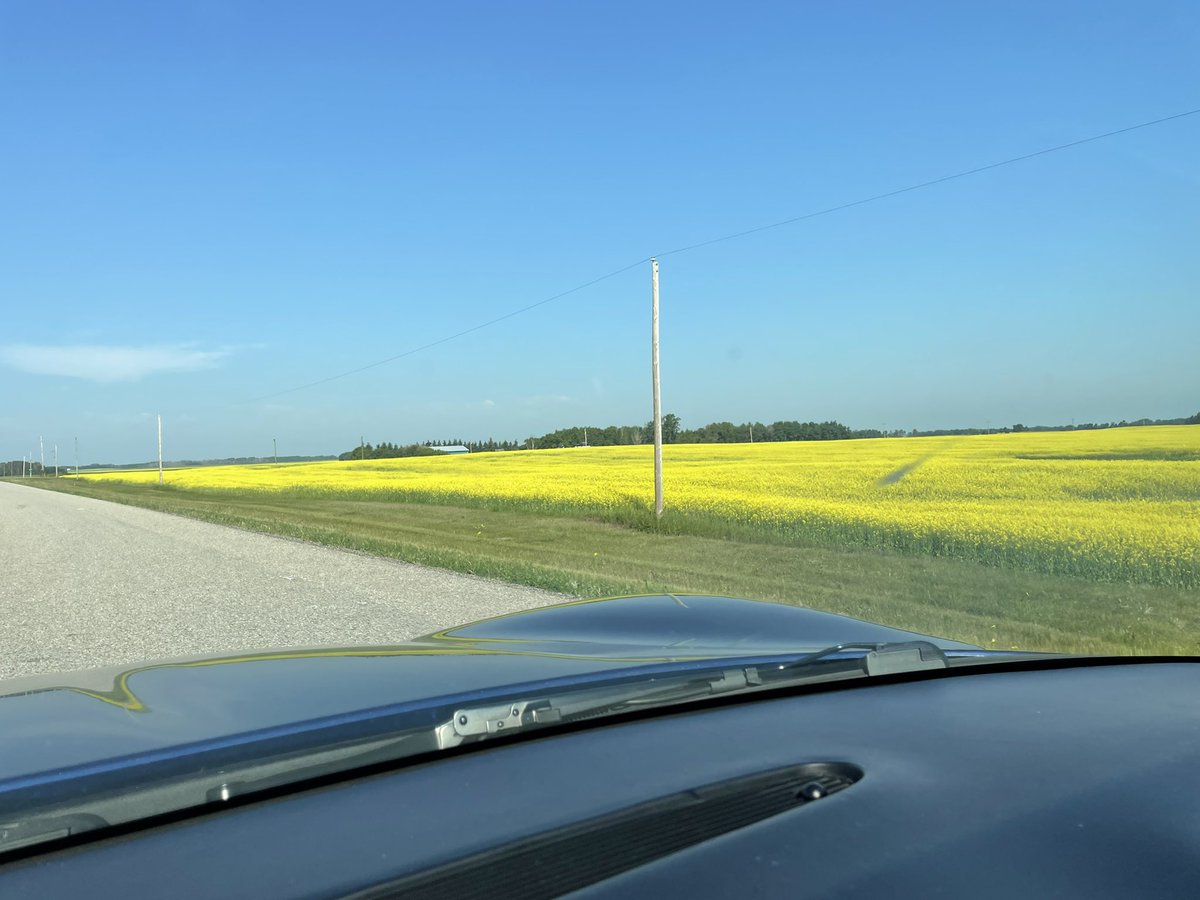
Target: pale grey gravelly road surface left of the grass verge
87	584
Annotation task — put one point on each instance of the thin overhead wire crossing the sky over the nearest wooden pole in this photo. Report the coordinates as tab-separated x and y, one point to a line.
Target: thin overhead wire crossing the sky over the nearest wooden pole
733	236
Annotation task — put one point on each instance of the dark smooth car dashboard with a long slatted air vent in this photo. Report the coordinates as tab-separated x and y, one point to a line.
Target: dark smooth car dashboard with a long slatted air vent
1054	778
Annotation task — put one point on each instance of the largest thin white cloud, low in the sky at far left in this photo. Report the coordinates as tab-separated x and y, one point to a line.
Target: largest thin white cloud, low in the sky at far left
109	364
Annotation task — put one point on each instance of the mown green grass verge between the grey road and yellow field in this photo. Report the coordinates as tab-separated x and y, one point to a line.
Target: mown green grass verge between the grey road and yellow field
953	598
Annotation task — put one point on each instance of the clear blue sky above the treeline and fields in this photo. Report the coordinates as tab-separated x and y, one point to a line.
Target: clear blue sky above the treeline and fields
211	203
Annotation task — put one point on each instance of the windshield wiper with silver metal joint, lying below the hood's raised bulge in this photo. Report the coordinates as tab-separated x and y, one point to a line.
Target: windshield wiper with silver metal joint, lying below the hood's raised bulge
829	664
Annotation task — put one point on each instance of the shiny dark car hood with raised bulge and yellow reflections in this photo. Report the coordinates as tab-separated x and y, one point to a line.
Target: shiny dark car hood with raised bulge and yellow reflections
52	723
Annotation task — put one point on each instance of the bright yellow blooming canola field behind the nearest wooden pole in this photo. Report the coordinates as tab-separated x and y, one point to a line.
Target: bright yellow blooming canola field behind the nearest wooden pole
1114	505
